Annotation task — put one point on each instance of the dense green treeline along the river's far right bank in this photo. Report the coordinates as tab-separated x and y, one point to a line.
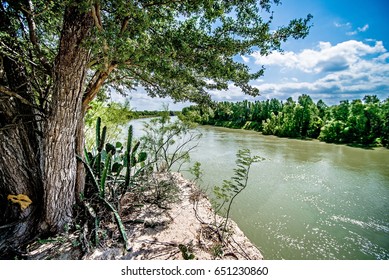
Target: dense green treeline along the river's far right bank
360	122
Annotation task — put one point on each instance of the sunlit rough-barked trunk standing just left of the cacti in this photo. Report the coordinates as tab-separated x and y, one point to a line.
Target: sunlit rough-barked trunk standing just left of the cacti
63	123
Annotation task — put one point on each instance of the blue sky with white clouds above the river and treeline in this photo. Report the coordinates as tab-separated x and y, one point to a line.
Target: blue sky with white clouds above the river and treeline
344	57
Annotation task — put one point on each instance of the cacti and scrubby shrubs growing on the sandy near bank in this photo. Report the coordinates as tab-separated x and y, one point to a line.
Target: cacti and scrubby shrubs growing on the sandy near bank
125	178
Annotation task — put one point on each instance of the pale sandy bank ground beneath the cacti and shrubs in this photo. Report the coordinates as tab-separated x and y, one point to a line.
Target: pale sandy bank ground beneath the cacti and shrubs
183	230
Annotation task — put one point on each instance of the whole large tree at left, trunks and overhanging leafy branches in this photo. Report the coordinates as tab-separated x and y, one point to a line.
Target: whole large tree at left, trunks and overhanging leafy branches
57	55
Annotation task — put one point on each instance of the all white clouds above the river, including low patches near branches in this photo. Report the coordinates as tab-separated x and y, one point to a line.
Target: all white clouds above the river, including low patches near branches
348	70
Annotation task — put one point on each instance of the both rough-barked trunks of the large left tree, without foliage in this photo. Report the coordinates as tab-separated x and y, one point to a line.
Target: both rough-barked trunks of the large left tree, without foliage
41	163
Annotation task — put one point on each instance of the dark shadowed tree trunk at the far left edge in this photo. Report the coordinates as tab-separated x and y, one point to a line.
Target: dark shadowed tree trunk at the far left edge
19	174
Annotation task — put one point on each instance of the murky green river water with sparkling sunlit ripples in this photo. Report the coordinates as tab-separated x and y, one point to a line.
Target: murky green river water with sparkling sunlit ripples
307	199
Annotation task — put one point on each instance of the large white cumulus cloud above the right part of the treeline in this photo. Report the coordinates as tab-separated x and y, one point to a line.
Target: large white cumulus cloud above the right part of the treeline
347	70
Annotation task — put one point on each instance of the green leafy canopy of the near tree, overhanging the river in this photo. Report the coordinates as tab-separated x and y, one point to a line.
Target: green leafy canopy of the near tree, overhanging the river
170	48
